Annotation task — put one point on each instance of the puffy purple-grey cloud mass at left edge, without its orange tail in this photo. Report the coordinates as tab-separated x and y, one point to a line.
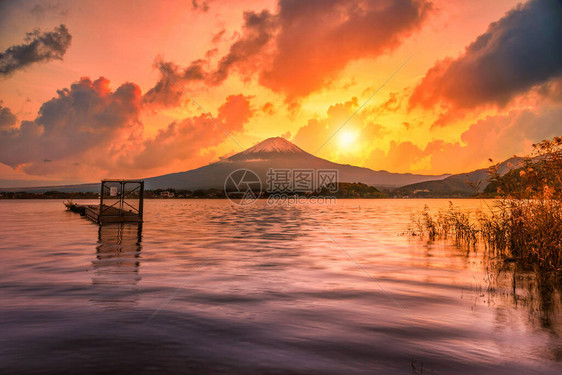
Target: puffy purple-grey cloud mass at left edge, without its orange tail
79	119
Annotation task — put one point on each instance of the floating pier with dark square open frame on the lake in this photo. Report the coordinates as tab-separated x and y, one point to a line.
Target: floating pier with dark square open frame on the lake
121	201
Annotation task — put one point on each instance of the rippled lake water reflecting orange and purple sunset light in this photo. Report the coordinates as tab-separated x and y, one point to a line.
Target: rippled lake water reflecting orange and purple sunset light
208	287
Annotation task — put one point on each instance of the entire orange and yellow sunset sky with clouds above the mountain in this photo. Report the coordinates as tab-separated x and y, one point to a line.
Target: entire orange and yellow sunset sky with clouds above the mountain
82	97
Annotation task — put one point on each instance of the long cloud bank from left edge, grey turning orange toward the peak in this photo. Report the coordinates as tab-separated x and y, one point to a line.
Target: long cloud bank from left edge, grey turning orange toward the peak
89	129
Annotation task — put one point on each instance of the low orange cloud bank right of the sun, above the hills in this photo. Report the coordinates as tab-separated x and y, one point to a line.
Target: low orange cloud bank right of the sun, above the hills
498	137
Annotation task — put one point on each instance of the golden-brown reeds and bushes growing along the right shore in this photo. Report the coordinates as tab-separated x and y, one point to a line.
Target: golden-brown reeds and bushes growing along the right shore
524	224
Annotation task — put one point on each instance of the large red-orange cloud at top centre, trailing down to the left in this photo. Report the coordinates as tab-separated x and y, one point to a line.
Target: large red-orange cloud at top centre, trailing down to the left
302	47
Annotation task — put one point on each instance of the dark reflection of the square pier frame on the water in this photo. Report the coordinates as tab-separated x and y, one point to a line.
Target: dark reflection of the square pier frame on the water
116	266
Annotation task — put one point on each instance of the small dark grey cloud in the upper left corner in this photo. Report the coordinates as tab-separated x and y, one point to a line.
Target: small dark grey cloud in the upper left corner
38	47
